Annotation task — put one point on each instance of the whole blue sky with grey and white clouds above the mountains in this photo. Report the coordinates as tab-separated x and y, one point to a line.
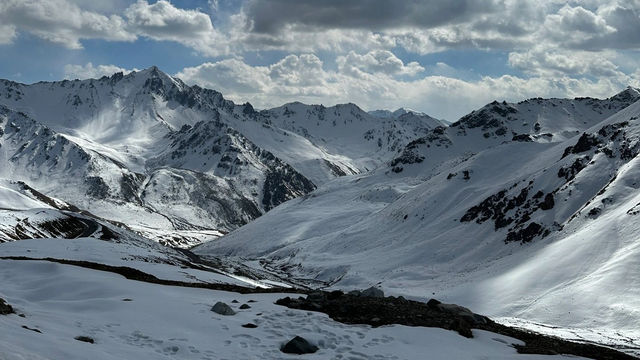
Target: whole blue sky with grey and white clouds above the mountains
443	57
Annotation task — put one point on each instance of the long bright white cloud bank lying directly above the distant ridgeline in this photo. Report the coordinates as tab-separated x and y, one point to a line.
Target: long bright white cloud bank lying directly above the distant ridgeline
306	78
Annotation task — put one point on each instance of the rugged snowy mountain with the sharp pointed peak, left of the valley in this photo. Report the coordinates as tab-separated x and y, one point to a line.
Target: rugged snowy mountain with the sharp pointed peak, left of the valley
176	163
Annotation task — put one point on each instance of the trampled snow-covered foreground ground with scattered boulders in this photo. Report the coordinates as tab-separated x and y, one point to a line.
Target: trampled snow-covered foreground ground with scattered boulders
162	322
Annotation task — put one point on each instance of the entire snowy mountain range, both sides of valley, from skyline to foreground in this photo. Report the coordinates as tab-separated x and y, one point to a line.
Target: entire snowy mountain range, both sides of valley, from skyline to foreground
511	210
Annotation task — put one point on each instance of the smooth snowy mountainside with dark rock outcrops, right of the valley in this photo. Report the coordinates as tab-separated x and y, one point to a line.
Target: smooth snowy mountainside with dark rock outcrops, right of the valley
522	210
